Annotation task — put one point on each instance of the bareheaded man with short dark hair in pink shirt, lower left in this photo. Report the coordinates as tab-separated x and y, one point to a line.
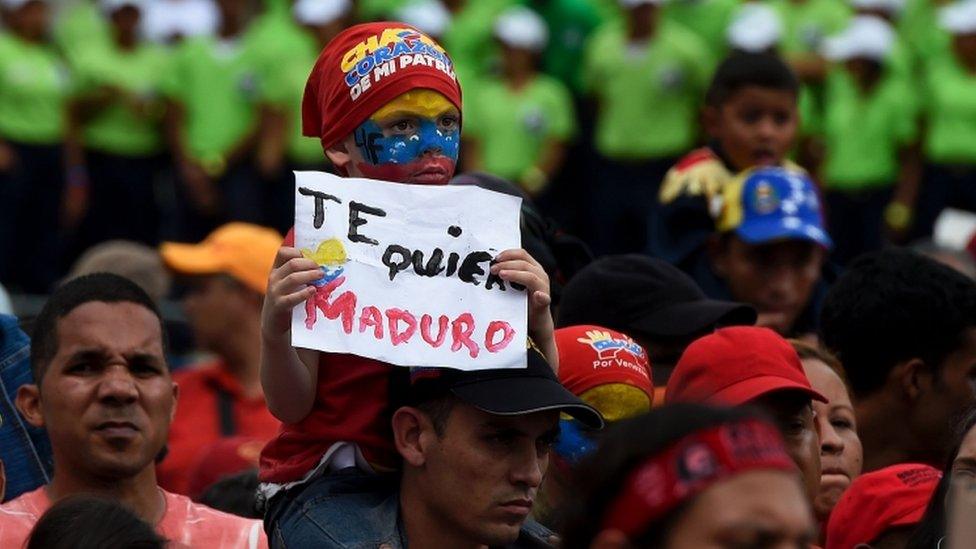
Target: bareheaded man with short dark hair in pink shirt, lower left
105	396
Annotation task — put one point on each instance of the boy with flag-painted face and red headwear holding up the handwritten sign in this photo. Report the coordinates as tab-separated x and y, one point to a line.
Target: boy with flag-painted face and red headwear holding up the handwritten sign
401	126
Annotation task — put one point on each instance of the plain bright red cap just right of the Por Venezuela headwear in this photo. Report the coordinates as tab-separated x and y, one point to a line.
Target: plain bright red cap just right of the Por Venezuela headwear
736	365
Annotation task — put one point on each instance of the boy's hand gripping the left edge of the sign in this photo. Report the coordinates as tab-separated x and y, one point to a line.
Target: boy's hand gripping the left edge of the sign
288	285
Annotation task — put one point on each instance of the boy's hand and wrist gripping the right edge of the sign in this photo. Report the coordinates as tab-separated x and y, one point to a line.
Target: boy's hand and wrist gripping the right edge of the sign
517	266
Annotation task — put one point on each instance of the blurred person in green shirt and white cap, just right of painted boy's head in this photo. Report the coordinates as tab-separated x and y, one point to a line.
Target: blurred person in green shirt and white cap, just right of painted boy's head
518	125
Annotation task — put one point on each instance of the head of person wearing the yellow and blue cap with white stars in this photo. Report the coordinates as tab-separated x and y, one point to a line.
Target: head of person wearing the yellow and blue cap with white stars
769	249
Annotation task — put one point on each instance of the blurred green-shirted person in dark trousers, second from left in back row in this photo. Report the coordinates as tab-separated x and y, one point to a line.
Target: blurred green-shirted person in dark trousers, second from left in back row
117	111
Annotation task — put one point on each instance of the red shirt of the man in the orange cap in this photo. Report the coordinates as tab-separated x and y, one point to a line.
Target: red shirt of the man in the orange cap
198	422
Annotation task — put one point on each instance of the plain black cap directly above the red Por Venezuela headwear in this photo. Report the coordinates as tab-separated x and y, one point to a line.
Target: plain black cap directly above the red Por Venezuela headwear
640	295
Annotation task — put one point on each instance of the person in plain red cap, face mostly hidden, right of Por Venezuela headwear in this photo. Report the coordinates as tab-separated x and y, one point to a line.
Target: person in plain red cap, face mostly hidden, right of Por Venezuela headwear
747	365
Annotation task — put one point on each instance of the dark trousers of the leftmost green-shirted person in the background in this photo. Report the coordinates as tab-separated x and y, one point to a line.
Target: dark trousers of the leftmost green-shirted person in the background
30	211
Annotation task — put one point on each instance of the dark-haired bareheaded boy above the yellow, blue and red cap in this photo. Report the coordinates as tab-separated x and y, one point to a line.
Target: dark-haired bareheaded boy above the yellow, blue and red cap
751	119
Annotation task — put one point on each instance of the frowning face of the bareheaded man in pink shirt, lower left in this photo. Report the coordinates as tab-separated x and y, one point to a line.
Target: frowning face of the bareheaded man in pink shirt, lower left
106	399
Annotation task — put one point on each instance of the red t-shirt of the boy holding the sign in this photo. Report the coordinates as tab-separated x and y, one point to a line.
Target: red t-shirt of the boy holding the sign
353	403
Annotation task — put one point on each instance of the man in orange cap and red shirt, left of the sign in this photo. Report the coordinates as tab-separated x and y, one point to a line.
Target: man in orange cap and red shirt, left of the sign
225	278
